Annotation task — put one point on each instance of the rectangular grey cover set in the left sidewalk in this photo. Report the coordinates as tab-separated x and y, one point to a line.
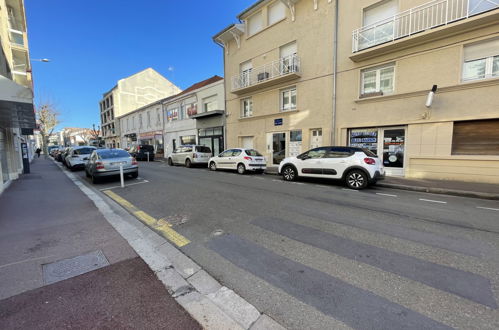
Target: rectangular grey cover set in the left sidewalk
67	268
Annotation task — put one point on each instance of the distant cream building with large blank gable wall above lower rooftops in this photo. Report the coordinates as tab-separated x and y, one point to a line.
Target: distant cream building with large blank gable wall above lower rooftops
129	94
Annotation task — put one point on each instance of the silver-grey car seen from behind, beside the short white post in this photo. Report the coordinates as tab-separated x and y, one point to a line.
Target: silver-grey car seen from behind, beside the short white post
106	162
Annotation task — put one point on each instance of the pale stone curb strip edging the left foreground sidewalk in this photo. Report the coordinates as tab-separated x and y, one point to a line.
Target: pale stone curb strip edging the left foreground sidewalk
212	305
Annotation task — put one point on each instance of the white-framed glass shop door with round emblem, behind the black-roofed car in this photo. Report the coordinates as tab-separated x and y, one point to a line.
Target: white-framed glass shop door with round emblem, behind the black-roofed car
393	146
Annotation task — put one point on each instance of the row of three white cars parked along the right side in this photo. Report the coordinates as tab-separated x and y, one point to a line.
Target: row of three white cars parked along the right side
357	167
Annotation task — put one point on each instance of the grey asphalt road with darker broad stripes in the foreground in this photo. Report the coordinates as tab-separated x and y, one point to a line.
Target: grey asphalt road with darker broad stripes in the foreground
314	255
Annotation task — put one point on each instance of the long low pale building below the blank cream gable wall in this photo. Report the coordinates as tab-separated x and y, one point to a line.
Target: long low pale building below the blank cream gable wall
144	126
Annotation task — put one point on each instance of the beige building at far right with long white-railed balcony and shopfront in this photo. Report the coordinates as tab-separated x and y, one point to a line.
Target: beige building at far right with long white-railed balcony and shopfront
390	55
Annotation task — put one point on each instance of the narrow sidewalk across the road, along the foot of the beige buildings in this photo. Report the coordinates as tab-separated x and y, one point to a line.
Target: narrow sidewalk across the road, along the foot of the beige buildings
456	188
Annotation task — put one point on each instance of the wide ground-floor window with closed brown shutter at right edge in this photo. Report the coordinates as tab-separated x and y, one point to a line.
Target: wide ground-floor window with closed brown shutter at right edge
477	137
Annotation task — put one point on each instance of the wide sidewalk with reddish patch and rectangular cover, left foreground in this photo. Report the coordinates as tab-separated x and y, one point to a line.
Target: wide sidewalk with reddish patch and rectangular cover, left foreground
100	283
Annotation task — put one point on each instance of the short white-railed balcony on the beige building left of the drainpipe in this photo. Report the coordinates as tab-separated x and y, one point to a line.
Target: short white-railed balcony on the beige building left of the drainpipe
276	72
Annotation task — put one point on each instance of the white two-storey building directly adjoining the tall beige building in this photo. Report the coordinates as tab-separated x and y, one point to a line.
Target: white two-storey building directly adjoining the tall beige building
196	116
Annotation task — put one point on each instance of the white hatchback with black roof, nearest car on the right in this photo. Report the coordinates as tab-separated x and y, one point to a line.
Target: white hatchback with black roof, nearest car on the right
355	166
